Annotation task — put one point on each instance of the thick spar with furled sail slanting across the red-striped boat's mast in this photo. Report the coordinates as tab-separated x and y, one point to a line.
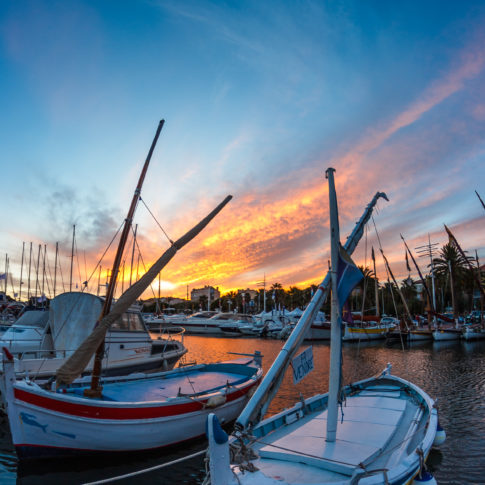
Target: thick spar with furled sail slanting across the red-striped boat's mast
78	361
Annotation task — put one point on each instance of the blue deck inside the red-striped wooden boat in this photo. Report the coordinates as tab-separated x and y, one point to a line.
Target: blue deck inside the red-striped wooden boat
164	389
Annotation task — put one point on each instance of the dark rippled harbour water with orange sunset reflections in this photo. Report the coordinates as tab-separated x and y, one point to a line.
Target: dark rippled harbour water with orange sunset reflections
451	372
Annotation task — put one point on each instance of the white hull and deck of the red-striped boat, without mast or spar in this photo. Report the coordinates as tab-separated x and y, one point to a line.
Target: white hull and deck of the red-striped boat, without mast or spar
133	413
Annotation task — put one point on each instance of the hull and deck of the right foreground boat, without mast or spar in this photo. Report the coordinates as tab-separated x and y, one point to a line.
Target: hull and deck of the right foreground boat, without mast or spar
379	420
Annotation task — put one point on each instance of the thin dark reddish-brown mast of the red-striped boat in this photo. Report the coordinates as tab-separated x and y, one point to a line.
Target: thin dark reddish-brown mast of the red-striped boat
117	261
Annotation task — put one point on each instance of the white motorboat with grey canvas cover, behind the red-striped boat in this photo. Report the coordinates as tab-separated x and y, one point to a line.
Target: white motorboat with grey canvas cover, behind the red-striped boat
43	346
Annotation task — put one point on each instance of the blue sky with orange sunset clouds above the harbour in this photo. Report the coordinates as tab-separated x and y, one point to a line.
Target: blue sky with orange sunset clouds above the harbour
259	99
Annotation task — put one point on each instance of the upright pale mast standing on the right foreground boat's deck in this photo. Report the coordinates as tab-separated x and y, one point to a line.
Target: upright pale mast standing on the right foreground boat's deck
336	328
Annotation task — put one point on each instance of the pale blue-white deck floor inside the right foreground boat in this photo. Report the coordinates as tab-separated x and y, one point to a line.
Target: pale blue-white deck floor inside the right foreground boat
373	421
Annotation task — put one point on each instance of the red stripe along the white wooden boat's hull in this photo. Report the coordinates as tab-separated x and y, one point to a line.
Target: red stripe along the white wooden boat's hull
117	413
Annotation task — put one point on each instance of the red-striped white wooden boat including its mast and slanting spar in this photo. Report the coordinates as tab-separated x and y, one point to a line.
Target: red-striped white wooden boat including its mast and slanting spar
135	412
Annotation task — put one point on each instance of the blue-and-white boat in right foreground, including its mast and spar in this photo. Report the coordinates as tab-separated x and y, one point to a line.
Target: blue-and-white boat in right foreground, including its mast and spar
375	431
